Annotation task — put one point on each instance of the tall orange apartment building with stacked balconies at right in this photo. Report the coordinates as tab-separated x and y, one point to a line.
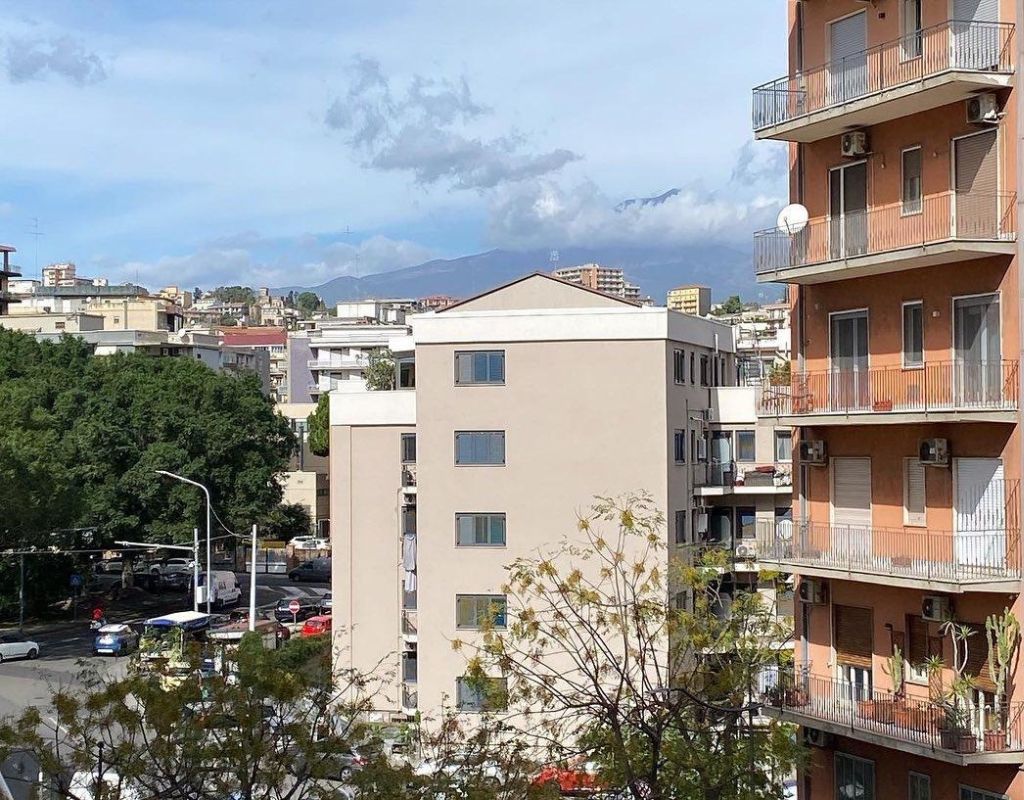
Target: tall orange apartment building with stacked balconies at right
903	122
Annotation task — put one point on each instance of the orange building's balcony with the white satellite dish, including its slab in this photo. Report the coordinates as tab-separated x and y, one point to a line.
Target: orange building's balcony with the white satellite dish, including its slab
943	229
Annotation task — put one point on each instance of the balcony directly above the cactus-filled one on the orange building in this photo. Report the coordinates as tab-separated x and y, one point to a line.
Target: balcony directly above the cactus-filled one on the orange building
922	559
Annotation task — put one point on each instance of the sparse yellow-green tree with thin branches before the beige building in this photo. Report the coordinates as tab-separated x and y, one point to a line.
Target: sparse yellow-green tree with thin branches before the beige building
601	665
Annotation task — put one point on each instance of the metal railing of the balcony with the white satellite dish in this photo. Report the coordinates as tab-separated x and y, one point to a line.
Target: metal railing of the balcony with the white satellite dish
944	218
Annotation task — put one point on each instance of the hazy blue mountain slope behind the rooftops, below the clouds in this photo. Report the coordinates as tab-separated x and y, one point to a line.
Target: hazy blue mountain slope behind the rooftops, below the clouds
727	271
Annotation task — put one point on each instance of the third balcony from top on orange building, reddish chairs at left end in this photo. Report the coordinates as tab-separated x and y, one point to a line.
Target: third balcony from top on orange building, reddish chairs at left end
942	392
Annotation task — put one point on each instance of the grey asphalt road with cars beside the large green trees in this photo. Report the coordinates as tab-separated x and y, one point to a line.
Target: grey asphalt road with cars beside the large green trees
66	649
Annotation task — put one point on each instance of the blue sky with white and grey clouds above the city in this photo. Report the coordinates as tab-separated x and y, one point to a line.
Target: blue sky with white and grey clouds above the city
275	144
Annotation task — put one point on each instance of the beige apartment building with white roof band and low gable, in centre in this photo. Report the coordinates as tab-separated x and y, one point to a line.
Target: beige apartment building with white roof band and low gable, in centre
436	489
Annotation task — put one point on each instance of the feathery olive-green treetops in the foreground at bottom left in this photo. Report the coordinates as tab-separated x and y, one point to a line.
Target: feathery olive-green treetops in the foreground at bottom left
268	726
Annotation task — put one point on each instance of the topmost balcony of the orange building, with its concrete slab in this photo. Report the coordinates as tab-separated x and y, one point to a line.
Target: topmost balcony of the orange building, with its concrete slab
933	68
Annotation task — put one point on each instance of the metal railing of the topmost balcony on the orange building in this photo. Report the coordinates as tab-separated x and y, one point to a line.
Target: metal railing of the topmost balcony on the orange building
951	47
